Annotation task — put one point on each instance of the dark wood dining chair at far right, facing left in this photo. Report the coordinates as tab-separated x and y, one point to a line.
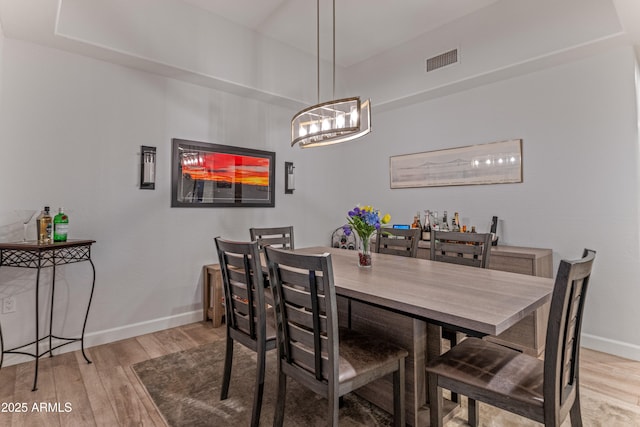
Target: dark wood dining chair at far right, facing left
544	391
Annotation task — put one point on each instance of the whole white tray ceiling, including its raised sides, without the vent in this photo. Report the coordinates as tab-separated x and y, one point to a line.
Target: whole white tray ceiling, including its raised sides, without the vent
375	39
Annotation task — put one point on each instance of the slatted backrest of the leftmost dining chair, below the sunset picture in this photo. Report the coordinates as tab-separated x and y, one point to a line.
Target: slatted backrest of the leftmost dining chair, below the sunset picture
243	290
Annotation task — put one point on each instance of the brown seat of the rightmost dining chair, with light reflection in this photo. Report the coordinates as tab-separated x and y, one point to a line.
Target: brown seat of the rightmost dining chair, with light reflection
491	367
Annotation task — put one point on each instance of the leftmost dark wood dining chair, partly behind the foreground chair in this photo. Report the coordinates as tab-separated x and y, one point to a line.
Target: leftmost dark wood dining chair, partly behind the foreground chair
246	317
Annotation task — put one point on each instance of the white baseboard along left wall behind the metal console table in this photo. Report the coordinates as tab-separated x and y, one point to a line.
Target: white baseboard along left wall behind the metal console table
115	334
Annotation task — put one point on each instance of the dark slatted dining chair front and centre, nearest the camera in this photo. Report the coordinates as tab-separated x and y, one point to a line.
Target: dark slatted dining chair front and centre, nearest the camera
312	350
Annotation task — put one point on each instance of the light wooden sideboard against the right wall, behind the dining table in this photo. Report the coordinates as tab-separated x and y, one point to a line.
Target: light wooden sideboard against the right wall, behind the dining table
529	334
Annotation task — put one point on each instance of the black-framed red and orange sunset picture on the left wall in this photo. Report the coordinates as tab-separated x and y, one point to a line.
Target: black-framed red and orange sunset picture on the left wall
214	175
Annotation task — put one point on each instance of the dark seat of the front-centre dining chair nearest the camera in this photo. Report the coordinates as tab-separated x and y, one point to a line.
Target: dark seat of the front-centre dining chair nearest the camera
360	354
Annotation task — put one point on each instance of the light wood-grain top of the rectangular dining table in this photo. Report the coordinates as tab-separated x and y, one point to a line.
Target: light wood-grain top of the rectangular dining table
479	300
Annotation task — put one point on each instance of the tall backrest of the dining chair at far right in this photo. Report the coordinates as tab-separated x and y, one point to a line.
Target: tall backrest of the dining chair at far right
562	346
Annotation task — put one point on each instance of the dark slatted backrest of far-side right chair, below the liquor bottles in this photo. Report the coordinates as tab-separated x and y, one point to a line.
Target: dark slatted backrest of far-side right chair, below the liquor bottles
473	249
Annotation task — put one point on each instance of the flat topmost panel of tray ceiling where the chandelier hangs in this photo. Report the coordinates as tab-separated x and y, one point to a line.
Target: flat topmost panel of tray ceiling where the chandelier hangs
364	28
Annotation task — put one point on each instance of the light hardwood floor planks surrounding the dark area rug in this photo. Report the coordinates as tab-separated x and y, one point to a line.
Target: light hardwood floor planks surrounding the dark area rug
107	392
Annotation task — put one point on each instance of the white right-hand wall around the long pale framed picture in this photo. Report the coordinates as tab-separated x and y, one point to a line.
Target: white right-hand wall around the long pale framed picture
579	128
